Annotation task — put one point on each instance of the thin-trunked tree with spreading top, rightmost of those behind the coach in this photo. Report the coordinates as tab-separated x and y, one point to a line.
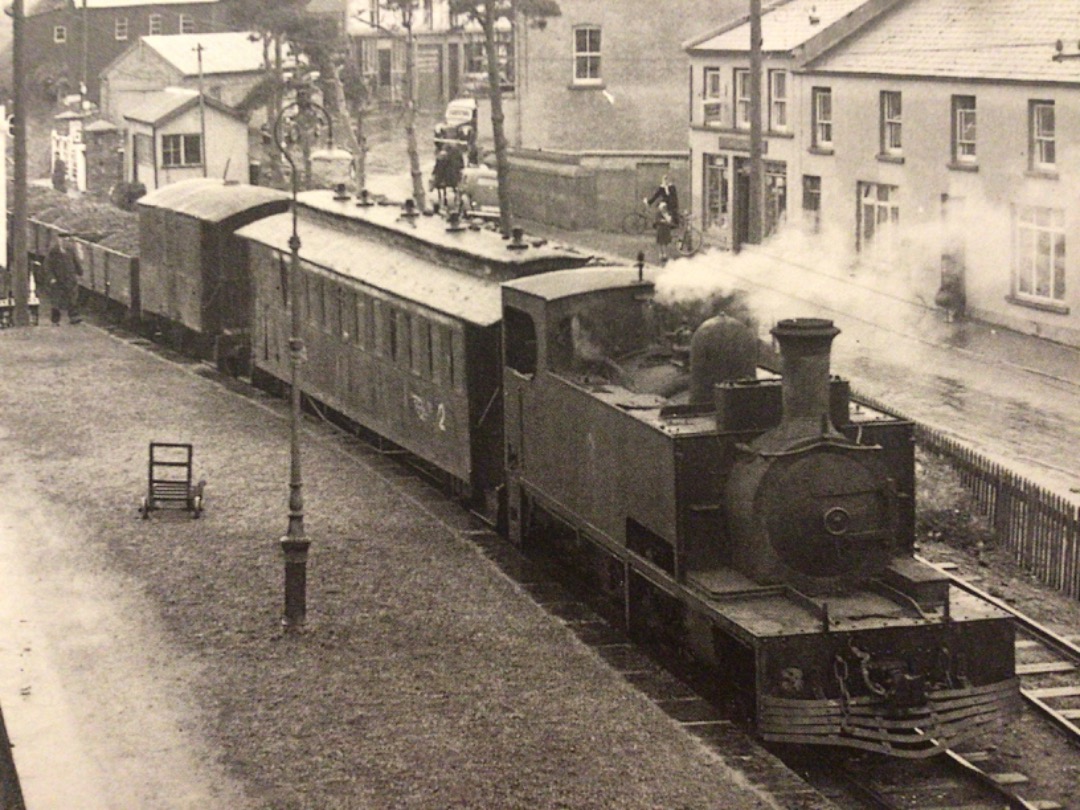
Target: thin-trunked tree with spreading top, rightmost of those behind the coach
488	13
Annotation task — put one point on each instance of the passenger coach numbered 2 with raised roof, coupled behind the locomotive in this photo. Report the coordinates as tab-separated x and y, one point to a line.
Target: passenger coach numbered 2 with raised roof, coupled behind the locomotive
401	325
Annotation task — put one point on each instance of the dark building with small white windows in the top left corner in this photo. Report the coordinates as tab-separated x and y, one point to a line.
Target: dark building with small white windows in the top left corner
72	42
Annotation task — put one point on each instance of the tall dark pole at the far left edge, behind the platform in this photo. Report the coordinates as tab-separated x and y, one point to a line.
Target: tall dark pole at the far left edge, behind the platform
20	277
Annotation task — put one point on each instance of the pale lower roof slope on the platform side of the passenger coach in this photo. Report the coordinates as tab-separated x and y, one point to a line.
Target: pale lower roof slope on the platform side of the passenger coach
384	267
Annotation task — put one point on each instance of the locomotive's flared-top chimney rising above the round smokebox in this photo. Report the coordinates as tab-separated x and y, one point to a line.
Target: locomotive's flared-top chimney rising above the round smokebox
805	347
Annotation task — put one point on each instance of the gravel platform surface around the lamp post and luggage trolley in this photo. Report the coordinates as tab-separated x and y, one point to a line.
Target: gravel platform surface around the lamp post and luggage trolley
426	678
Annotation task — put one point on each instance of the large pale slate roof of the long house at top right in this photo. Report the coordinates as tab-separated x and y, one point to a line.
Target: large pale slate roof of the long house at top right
970	39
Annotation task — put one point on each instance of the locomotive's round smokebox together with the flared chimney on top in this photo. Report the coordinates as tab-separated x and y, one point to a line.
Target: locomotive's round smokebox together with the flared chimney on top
808	507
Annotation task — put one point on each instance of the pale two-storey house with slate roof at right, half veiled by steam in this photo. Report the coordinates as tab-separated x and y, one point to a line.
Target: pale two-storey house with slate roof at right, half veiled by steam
943	143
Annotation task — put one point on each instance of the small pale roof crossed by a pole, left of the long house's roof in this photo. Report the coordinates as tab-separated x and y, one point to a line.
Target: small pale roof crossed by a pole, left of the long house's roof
785	26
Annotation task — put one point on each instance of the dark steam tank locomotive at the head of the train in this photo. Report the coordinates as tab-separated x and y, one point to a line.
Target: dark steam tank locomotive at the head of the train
765	524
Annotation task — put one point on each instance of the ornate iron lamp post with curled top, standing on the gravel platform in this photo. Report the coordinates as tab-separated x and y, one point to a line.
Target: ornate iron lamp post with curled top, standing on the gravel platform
295	544
